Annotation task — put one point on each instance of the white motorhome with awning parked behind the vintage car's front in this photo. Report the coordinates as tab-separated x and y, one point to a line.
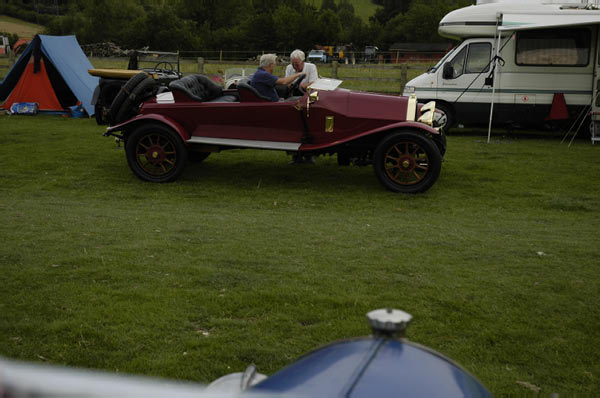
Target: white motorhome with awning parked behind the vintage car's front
546	68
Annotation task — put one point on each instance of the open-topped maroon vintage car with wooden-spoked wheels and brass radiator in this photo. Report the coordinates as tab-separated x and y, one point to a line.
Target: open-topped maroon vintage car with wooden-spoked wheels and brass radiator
195	117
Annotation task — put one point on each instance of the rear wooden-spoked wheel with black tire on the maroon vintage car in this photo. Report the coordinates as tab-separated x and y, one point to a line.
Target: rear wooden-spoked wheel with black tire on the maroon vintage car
155	153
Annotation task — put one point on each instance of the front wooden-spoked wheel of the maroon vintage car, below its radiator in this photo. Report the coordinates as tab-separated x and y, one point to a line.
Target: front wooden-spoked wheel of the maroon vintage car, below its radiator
407	162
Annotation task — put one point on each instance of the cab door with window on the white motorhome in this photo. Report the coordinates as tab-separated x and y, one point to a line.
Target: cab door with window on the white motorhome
462	80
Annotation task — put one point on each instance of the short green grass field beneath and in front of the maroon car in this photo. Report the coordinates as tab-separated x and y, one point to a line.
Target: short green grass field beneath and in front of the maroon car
246	259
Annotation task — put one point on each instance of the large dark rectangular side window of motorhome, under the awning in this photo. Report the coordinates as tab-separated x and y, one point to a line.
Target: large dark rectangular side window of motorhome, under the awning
553	47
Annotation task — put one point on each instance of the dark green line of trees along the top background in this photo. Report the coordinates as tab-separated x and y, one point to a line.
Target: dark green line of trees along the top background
194	25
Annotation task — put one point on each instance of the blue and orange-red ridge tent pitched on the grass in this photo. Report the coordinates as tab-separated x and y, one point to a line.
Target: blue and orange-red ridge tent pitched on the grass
60	61
